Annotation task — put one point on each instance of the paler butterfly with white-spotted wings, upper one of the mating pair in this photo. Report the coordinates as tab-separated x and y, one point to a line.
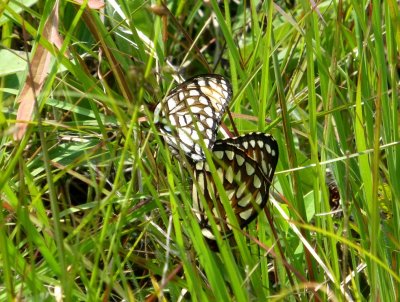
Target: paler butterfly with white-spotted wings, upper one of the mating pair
191	112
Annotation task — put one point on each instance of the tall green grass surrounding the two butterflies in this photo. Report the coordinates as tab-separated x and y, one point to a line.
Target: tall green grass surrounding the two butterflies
93	207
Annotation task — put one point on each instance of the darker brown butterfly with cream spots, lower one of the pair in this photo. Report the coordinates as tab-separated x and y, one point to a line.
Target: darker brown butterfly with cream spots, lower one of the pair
245	166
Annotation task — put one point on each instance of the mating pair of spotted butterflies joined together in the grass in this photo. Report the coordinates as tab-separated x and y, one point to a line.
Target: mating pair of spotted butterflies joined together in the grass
189	120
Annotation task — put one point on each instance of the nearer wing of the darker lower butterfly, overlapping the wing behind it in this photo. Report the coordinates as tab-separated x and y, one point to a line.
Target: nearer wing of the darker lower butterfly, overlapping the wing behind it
244	183
